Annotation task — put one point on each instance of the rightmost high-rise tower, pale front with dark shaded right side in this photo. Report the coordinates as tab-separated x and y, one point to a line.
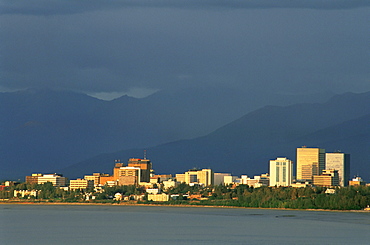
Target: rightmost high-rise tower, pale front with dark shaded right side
341	162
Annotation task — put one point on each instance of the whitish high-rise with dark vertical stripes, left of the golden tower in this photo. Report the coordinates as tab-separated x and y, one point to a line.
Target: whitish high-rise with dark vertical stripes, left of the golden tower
281	172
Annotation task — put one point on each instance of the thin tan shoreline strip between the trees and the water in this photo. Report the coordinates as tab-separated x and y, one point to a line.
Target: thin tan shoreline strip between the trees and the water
169	205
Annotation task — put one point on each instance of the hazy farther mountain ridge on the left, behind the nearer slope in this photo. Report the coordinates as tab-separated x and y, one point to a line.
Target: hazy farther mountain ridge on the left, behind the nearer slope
42	129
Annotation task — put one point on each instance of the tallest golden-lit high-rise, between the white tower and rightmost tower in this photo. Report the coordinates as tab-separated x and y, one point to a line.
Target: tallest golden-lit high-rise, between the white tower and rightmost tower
310	162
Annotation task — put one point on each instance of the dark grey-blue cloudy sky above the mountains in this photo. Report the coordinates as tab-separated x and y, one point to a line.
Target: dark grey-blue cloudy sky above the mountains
110	48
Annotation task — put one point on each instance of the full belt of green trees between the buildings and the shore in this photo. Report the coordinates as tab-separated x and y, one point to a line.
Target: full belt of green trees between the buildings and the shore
344	198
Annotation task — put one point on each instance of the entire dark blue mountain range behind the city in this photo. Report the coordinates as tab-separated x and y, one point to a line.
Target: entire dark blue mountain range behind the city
44	130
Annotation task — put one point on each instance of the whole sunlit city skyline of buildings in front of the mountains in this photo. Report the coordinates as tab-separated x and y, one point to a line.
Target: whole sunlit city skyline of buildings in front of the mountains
281	171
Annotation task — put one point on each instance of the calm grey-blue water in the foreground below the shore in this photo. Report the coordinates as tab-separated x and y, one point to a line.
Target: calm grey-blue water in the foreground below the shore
73	224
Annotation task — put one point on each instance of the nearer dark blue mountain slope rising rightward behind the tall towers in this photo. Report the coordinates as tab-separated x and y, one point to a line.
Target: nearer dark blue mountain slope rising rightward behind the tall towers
248	143
